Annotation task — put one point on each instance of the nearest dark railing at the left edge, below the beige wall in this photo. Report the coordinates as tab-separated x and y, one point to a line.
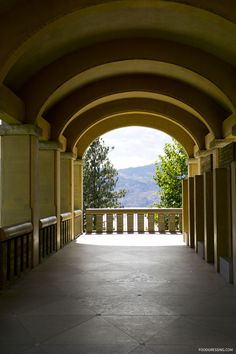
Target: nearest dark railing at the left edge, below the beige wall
15	251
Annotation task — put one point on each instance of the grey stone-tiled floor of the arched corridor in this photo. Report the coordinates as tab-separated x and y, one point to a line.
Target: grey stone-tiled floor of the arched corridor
118	299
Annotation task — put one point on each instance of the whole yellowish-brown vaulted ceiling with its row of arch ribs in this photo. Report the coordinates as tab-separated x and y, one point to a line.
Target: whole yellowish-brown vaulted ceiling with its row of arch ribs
175	60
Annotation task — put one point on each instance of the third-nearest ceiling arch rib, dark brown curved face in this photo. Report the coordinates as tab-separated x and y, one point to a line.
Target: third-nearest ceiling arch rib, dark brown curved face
209	111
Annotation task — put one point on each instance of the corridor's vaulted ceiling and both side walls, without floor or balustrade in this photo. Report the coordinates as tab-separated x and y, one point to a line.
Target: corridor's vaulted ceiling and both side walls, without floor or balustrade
70	71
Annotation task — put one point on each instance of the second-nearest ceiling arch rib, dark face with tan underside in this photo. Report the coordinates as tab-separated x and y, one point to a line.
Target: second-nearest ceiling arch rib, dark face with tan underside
65	75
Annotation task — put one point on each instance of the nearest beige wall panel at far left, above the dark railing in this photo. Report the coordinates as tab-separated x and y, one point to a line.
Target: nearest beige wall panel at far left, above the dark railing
15	180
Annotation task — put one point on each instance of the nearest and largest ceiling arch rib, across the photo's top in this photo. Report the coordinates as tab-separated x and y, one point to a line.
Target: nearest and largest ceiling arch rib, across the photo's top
189	24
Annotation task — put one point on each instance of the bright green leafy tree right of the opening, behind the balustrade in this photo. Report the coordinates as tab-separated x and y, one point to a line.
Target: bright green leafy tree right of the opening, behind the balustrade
171	169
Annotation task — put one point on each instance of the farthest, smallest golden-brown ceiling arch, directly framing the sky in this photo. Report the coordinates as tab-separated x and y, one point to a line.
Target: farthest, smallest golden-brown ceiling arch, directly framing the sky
134	119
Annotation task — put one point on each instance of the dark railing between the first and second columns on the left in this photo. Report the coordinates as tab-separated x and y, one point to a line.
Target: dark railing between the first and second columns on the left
47	236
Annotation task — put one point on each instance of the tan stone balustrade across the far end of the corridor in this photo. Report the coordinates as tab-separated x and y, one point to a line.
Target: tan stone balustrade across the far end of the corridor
134	220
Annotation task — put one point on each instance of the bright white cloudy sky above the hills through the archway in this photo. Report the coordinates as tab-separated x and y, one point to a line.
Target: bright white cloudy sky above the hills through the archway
135	146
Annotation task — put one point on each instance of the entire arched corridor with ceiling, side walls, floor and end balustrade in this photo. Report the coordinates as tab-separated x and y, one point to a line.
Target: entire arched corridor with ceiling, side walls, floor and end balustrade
71	71
